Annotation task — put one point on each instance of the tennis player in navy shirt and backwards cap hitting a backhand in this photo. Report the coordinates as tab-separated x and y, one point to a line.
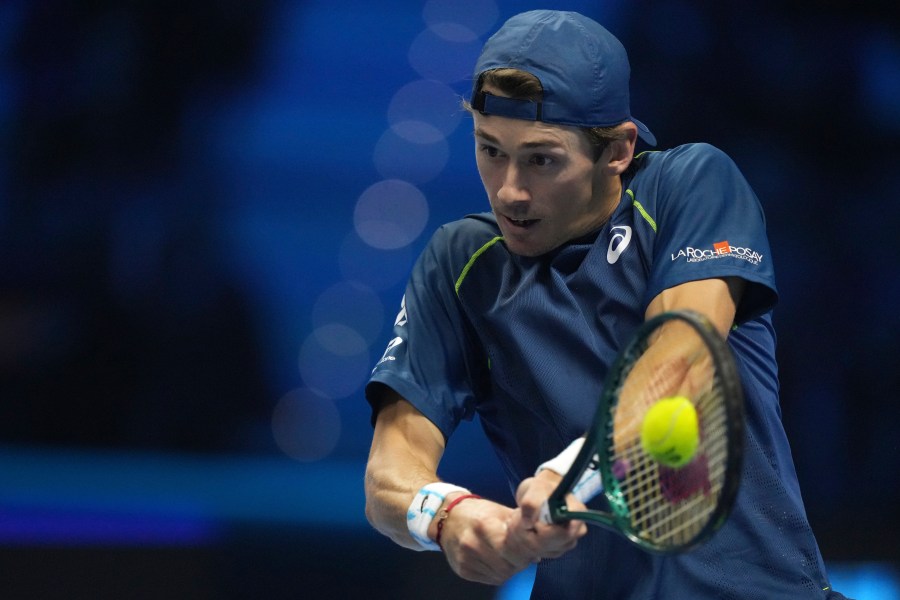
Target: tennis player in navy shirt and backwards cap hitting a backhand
515	315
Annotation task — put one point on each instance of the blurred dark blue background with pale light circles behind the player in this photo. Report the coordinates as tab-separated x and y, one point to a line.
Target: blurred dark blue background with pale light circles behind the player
207	214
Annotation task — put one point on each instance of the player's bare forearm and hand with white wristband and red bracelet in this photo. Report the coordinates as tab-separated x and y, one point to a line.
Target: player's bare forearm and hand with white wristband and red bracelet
406	450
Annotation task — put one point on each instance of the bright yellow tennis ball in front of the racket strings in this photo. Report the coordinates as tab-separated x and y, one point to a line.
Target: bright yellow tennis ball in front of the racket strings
670	433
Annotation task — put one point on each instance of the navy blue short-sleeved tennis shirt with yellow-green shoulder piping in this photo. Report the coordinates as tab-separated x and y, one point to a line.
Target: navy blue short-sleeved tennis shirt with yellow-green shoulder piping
526	342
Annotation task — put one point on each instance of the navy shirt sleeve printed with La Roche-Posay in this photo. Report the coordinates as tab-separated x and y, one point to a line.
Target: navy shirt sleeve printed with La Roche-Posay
710	224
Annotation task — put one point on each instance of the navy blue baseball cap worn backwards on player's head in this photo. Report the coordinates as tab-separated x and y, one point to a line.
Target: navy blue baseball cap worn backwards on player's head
582	67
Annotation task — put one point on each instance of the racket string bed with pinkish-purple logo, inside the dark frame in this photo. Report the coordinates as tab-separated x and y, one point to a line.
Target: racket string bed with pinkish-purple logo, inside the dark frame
665	505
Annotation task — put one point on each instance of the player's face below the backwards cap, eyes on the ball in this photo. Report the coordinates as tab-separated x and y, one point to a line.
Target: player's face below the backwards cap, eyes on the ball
542	182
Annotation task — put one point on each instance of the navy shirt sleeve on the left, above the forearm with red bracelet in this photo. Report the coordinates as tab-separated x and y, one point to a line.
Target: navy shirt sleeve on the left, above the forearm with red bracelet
431	357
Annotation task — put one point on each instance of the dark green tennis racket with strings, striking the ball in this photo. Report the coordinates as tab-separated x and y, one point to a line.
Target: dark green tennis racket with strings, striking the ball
662	508
